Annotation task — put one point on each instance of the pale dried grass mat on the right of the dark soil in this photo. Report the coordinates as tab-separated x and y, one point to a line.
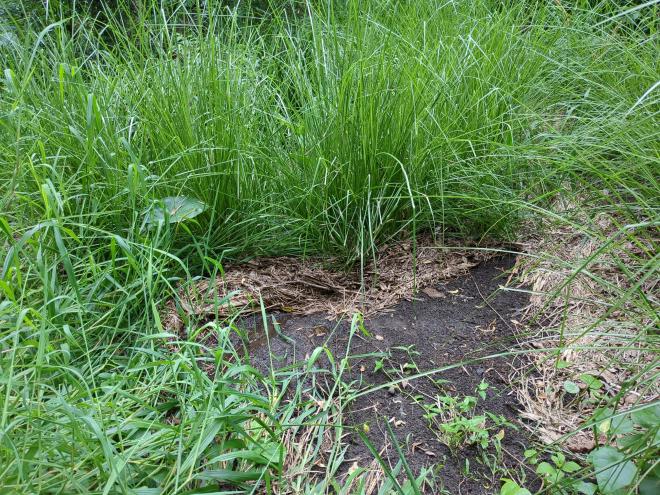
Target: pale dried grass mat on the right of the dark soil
571	312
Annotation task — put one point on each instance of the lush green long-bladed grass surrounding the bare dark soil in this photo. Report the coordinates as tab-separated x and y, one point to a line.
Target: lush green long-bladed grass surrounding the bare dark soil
317	129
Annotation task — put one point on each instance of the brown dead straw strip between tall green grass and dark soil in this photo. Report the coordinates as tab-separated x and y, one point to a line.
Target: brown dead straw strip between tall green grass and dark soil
304	287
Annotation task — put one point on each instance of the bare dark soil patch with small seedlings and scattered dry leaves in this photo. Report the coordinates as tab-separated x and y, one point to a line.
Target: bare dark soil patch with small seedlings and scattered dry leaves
456	321
